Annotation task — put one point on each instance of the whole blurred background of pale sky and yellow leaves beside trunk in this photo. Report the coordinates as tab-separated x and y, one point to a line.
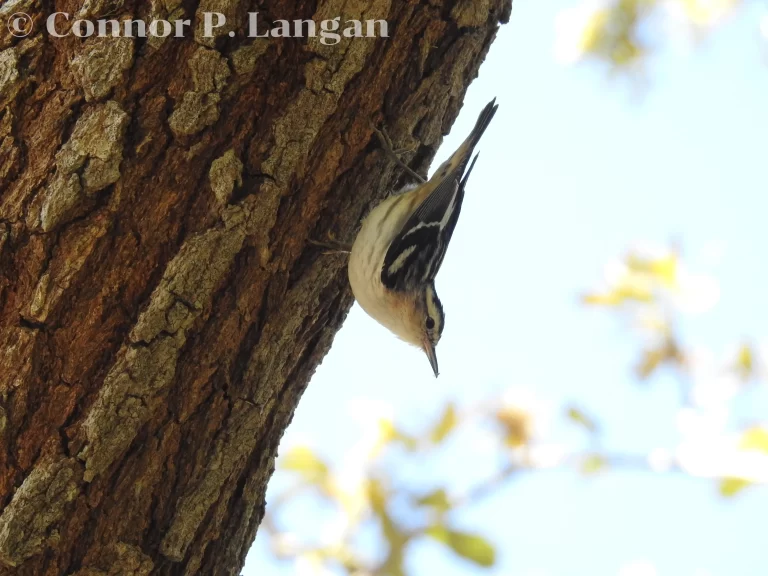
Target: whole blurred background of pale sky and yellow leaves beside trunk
602	407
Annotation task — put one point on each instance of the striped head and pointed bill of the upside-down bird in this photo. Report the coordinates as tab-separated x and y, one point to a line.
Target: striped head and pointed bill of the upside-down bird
424	322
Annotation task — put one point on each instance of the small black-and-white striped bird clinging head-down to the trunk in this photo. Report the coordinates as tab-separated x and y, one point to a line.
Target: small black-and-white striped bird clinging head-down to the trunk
401	244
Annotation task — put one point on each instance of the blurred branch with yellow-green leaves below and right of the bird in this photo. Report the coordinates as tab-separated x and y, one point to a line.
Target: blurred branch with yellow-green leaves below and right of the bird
649	288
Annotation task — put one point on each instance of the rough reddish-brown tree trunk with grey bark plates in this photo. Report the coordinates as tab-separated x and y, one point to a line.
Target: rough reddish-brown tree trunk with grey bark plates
161	311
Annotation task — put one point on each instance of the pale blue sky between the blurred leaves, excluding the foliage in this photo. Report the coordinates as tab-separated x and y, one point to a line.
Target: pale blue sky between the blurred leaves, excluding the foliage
574	170
